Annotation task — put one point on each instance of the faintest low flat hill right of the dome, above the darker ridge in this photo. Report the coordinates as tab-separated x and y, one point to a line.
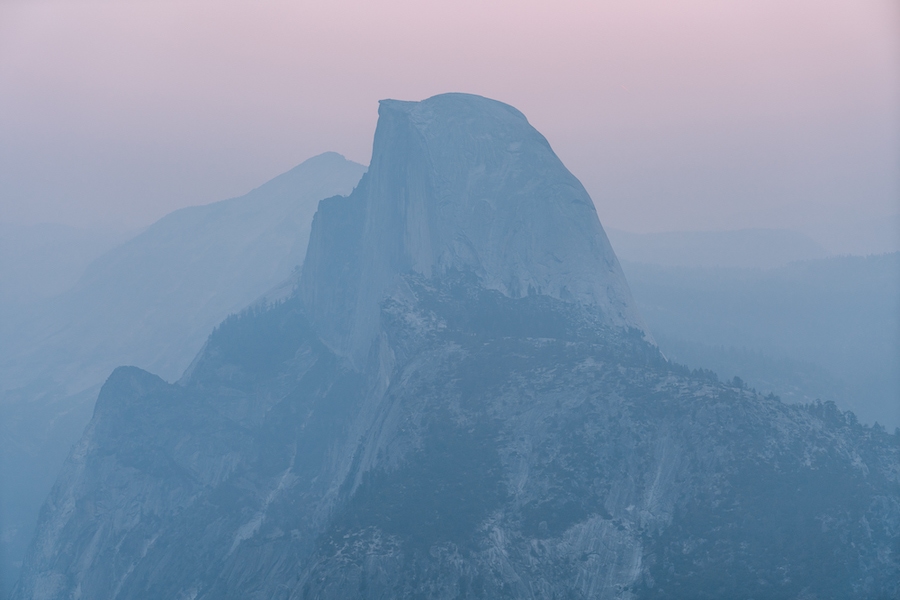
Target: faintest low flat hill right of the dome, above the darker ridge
762	248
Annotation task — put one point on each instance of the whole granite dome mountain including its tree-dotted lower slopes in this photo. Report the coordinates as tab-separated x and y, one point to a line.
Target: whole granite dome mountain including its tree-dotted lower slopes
466	438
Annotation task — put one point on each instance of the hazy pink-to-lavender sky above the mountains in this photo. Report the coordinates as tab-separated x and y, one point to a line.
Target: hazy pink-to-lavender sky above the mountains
689	115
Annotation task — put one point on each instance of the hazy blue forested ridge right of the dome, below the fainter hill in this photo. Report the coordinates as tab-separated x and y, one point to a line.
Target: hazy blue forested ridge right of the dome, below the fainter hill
827	328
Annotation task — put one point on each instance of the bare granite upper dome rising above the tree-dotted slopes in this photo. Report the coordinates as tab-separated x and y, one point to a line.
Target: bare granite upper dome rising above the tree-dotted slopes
461	183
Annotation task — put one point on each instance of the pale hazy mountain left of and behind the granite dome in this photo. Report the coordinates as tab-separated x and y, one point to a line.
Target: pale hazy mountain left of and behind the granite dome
150	302
